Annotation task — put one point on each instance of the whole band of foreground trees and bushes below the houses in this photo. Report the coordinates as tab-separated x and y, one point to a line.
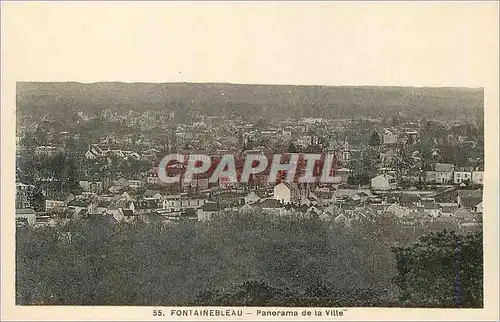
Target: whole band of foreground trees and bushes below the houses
248	260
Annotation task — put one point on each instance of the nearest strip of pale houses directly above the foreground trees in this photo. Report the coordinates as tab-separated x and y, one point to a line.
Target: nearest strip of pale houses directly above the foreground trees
450	205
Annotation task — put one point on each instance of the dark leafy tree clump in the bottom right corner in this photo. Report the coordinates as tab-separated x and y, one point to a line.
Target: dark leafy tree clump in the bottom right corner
443	269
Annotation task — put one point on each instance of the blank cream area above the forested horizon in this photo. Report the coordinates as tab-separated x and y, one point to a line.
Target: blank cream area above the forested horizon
334	43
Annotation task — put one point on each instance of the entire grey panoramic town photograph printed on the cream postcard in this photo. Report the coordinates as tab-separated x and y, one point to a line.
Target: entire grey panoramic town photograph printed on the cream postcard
226	194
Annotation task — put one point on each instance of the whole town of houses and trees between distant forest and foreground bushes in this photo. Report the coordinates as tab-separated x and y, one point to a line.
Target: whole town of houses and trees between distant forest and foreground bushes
106	166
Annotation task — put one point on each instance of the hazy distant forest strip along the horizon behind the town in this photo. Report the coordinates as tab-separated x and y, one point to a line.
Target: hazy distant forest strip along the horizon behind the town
270	101
